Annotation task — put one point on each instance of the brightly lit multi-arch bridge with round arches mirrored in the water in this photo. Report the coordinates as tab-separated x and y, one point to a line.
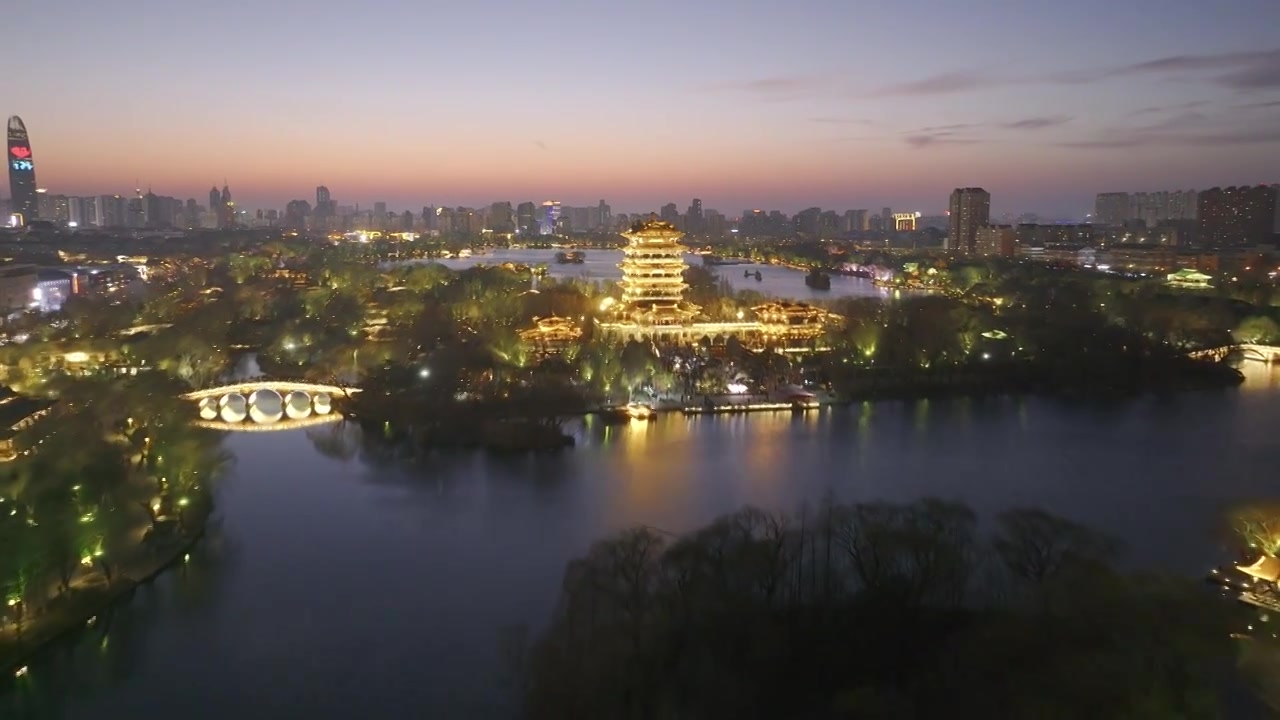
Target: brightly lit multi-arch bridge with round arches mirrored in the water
267	405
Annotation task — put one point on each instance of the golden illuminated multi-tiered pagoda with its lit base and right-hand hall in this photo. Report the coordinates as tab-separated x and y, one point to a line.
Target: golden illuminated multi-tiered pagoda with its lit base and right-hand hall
653	308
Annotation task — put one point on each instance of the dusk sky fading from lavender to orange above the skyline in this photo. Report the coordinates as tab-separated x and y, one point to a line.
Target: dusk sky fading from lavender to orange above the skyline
742	103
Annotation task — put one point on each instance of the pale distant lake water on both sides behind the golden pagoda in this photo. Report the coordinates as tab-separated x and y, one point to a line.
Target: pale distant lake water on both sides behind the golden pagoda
602	266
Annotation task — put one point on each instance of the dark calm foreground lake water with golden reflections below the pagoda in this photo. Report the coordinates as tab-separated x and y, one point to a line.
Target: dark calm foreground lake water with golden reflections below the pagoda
333	587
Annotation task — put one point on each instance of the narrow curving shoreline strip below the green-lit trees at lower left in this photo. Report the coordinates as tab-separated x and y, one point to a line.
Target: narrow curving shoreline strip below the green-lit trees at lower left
38	639
